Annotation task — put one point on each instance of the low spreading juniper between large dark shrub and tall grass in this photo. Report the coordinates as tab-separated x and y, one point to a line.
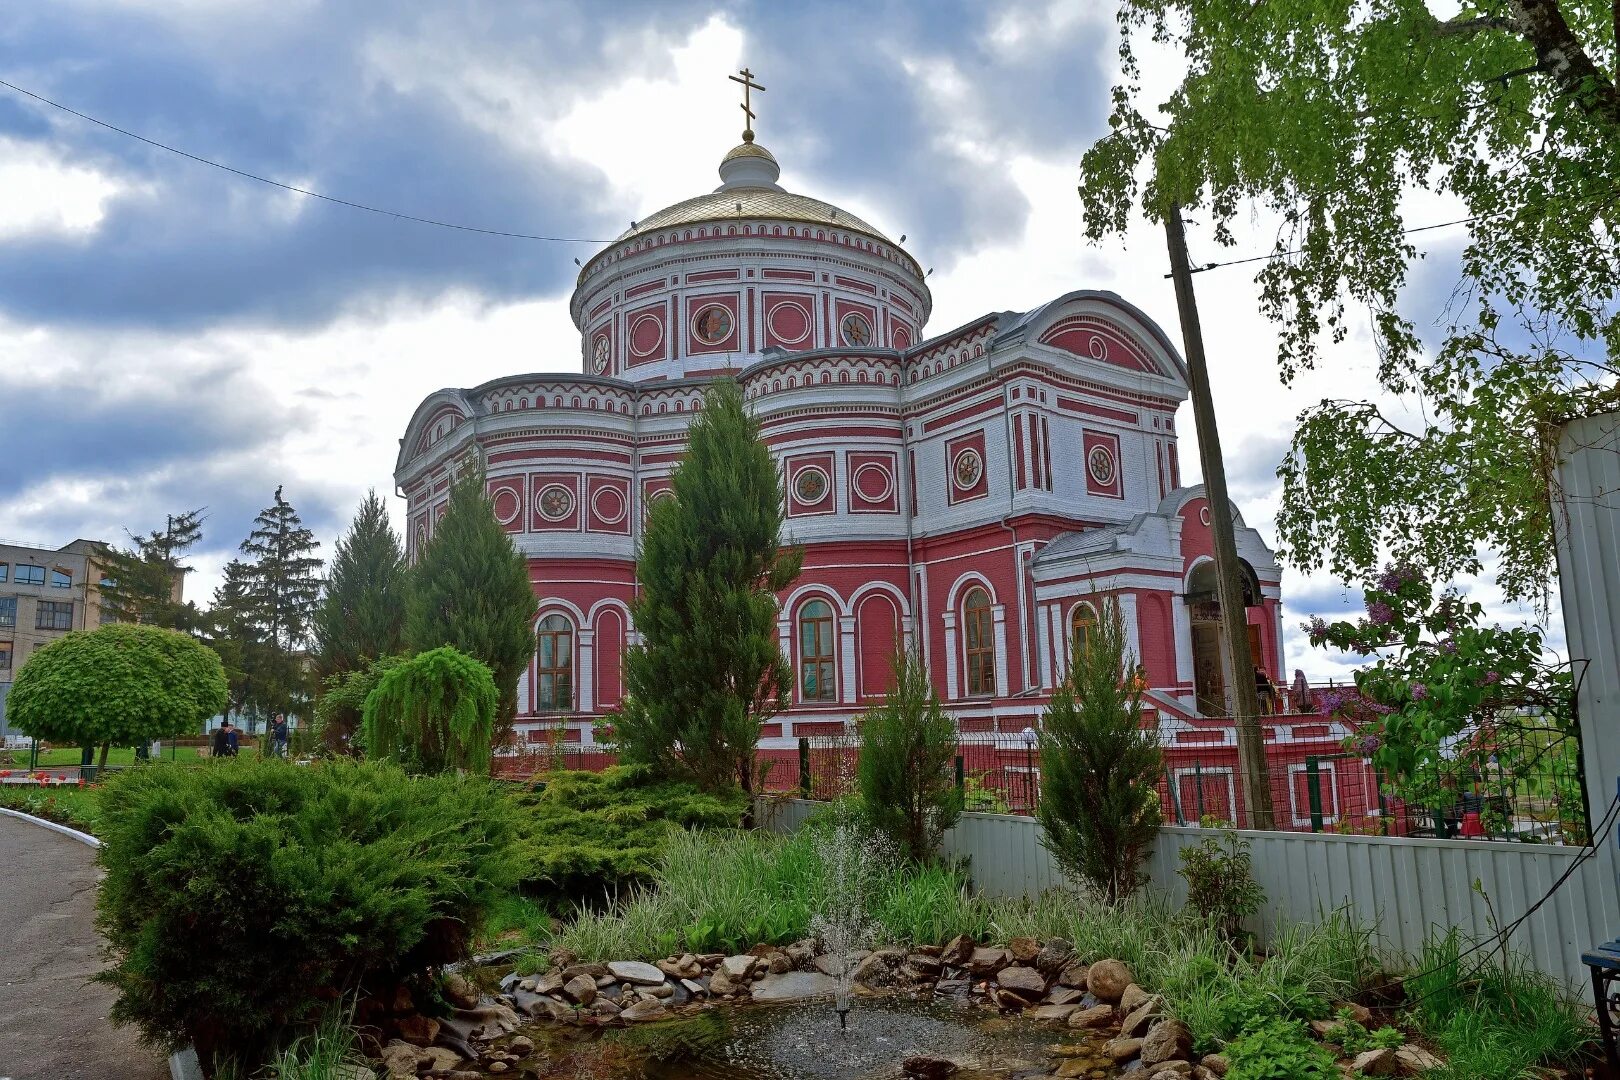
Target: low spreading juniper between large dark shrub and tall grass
589	835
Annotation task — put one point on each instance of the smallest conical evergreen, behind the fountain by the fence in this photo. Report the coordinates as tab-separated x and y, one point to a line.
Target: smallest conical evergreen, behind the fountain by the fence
908	763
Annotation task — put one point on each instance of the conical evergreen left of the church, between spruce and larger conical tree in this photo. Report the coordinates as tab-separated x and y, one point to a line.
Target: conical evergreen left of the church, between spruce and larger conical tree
362	618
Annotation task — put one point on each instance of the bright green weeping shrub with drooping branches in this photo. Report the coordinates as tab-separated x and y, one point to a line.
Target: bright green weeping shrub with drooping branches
433	713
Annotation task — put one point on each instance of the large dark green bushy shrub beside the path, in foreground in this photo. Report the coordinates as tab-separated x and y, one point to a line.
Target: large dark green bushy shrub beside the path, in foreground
244	898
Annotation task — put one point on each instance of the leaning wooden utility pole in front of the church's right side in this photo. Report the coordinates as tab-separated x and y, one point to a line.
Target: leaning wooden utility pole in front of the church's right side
1235	621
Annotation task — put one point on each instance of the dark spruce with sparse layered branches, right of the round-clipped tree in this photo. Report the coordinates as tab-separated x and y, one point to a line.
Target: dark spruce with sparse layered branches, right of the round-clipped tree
283	587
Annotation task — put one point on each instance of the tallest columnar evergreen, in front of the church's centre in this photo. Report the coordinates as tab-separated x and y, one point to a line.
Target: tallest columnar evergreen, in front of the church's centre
710	671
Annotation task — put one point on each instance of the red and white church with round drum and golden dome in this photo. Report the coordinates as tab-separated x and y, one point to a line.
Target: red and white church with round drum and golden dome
984	495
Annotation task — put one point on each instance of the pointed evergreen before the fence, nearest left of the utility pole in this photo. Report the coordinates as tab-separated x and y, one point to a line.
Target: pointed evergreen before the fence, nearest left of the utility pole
1099	799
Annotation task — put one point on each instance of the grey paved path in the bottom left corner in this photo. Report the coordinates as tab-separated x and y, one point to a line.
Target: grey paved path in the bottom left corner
53	1019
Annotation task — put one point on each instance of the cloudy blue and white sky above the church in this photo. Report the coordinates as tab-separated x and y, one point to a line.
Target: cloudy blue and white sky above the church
174	336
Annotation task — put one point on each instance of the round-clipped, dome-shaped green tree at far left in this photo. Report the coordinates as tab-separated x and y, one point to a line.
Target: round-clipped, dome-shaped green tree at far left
121	684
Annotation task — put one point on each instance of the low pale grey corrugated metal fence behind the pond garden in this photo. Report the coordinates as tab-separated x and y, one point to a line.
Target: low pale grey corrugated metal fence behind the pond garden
1405	888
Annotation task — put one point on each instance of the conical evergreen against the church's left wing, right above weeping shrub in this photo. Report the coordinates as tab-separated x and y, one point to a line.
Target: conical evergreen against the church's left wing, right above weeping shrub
471	590
